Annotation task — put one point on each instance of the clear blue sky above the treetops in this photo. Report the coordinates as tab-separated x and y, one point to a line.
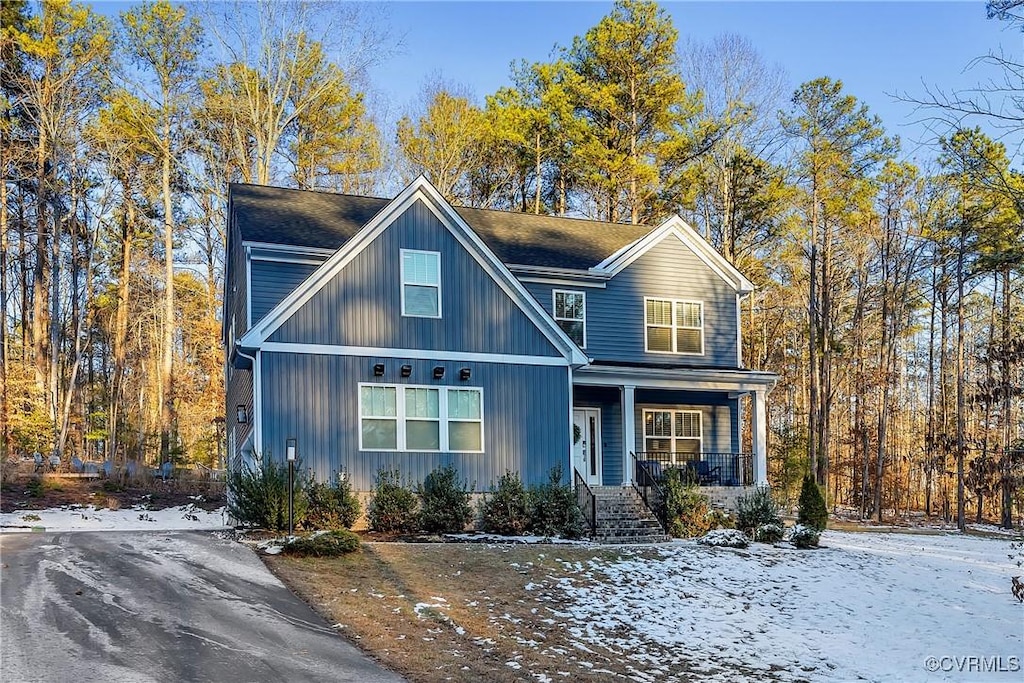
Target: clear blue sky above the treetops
874	48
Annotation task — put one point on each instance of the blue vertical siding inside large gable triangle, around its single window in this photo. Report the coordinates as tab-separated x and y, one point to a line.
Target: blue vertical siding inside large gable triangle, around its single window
362	306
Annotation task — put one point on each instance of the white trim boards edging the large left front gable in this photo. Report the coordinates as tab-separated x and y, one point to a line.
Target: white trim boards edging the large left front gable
419	190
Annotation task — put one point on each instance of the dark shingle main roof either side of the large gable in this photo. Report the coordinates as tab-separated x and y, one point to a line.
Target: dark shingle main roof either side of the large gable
277	216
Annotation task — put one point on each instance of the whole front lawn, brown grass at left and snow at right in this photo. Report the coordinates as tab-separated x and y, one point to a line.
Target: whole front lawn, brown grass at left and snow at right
866	607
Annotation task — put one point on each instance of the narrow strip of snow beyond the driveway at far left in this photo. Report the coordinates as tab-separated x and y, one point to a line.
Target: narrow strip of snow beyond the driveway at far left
91	519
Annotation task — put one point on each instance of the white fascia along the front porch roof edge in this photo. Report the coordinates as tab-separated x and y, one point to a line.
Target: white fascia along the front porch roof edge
695	380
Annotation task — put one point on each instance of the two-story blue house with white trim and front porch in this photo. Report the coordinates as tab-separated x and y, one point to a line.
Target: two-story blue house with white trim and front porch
370	333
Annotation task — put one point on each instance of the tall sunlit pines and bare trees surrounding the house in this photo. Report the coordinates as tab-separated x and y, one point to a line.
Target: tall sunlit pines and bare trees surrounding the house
888	301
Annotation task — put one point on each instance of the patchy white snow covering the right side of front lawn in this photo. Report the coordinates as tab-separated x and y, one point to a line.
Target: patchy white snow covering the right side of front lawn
865	607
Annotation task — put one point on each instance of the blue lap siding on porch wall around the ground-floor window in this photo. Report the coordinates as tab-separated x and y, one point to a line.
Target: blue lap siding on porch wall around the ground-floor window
719	420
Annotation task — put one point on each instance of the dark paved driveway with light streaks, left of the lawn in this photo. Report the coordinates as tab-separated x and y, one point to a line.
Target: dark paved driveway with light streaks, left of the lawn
158	607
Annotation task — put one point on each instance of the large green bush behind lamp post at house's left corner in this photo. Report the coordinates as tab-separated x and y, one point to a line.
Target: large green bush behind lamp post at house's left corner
260	496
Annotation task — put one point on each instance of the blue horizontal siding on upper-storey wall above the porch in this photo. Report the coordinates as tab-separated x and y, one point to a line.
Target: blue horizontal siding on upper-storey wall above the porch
616	319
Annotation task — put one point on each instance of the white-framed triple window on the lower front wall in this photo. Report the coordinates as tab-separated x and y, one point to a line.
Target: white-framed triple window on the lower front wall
415	418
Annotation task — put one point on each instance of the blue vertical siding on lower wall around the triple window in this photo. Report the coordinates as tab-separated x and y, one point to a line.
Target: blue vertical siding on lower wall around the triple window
315	400
